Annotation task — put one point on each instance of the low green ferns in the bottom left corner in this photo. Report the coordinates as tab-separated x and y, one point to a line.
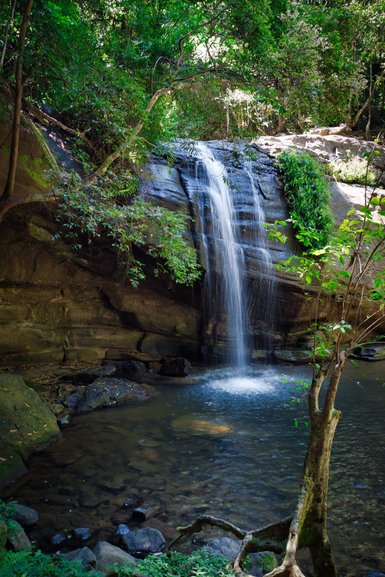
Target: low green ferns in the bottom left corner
29	564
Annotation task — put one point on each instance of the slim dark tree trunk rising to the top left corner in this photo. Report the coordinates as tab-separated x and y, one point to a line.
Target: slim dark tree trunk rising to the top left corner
10	184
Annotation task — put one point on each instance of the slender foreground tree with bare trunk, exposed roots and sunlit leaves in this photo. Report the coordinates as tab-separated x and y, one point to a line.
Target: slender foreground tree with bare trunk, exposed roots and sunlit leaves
350	269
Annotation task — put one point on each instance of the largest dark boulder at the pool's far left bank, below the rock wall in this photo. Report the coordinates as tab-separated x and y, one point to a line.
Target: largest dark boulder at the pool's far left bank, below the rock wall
109	392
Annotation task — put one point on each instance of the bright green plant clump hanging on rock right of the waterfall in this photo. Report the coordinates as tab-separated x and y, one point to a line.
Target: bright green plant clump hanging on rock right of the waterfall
307	191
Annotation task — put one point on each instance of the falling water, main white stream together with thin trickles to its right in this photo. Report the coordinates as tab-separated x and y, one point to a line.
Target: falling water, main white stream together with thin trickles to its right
231	223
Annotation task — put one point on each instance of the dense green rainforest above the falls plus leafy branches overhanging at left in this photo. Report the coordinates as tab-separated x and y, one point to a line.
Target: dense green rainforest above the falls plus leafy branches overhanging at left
124	76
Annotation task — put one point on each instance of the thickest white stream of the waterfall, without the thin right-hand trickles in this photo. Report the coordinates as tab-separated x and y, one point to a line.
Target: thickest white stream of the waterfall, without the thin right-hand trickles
222	254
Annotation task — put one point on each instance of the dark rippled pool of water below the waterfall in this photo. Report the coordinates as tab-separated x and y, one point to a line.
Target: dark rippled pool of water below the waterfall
227	446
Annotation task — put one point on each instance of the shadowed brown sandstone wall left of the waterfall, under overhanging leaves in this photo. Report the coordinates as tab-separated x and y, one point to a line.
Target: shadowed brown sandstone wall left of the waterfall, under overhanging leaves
53	309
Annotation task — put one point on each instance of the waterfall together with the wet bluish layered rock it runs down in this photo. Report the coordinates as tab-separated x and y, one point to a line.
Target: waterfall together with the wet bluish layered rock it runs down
226	189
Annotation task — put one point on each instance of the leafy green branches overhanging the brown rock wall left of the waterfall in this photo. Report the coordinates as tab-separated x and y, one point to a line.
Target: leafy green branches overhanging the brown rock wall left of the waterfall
110	211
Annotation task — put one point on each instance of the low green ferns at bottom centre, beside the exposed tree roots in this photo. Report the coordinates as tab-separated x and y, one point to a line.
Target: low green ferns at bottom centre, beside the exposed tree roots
199	564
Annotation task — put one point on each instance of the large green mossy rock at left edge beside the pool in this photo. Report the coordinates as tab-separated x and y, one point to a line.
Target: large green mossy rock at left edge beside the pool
26	425
